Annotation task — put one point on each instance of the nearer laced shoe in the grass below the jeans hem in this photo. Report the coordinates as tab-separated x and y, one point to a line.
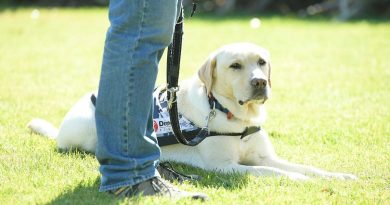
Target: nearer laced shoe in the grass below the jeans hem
155	186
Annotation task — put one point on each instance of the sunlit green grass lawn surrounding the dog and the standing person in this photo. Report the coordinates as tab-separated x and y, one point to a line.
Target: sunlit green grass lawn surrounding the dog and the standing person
330	106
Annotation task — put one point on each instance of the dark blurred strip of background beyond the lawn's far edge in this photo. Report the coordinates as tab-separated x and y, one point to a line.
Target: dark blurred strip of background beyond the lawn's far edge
341	9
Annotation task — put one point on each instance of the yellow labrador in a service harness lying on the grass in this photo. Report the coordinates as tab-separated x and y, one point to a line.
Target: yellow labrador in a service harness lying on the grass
236	77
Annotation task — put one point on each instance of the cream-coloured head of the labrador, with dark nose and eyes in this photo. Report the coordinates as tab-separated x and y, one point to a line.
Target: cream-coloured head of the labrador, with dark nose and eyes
239	72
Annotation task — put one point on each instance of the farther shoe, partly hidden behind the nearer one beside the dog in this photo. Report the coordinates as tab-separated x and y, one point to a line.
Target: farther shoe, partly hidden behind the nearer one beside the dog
168	173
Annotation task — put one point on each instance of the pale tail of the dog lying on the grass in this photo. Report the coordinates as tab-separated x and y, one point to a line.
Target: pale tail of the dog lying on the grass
43	127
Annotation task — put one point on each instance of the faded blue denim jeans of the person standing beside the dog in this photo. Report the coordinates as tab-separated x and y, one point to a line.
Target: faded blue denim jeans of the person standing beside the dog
127	148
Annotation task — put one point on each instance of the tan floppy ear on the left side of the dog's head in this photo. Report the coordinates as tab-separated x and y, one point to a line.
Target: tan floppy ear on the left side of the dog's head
206	71
